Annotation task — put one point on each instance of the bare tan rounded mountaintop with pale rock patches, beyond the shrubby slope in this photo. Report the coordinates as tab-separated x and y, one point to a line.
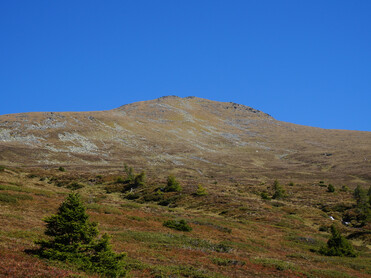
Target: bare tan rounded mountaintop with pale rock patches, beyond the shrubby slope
188	133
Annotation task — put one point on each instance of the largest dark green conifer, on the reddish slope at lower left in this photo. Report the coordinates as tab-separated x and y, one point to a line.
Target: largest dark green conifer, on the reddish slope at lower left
74	239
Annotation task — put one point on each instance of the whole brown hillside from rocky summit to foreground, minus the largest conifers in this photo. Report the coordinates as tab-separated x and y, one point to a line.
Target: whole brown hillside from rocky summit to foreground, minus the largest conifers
230	161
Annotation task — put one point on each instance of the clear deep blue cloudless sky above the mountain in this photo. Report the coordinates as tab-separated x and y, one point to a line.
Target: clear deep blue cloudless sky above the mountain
305	62
